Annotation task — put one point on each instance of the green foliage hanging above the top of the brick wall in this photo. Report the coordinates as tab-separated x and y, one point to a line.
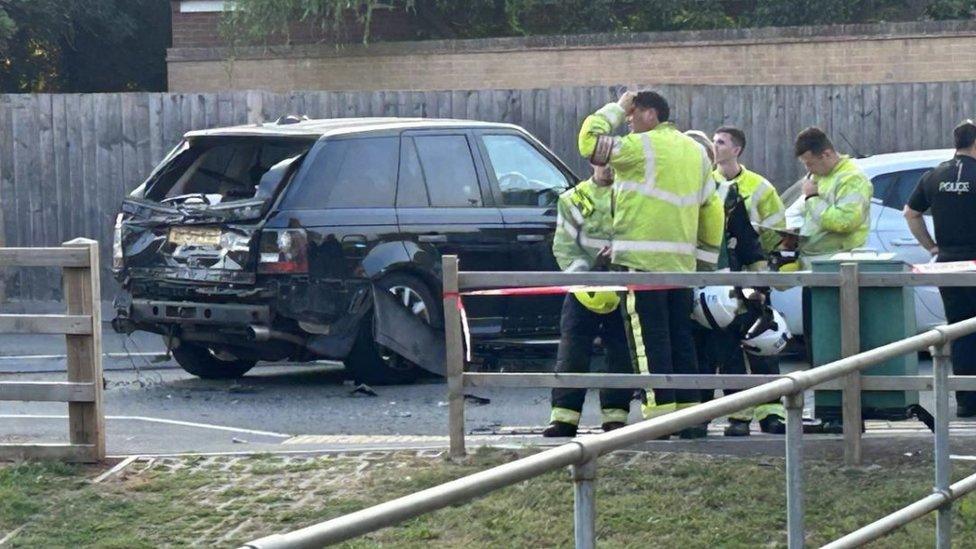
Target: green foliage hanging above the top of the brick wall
258	21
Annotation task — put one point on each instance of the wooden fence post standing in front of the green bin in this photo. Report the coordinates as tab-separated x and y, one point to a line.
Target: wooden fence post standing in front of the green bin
850	344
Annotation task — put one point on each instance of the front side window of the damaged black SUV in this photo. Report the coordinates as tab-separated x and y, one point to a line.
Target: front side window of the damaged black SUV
525	176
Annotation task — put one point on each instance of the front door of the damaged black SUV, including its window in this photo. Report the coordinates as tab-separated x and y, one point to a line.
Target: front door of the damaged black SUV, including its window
526	182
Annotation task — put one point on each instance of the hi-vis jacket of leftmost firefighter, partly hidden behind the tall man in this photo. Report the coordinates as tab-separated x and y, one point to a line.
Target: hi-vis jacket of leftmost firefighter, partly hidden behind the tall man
583	225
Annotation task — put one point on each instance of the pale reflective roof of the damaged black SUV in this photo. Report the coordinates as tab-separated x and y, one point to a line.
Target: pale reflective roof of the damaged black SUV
338	126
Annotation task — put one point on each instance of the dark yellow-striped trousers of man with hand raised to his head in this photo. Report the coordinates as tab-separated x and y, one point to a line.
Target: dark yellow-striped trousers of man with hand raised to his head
659	331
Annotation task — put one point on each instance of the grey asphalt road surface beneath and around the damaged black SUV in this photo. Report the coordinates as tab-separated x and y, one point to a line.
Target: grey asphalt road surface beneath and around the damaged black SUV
155	408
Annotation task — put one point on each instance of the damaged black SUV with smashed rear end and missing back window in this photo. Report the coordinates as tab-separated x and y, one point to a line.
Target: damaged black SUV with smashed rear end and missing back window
268	242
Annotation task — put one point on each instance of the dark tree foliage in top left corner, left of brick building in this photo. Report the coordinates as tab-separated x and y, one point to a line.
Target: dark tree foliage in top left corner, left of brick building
83	45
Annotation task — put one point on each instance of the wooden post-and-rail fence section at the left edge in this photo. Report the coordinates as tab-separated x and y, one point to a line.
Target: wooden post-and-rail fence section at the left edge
81	327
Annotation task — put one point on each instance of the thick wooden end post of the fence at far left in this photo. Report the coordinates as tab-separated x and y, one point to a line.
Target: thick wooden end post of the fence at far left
82	294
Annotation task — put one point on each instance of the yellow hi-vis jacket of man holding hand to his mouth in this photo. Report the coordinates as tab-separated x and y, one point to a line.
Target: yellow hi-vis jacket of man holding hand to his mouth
838	219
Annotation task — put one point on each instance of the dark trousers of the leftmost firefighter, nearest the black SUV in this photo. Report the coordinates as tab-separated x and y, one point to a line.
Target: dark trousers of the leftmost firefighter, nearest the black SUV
579	327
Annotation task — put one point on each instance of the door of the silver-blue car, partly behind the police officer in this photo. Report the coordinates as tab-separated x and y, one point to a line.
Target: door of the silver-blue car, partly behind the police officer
891	234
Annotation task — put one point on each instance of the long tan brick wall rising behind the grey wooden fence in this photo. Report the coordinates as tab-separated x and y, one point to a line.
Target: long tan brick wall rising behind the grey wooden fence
902	52
